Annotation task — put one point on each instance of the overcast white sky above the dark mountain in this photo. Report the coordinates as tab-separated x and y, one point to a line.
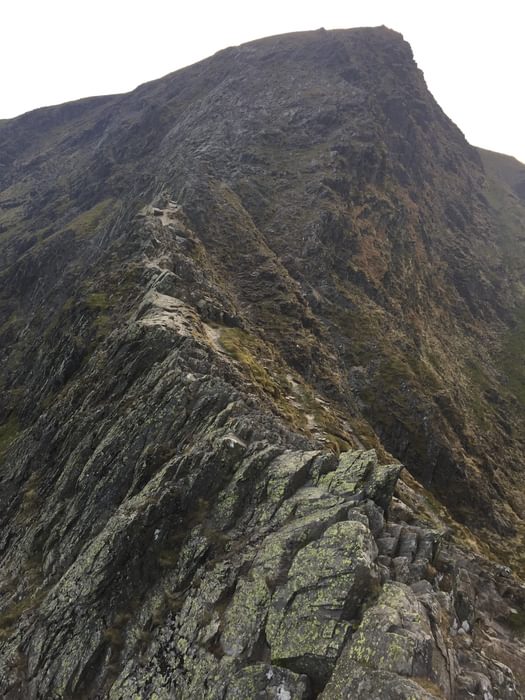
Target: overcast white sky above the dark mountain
472	53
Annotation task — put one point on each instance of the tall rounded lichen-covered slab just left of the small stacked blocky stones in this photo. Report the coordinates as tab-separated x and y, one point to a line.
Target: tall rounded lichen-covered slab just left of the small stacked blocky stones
309	616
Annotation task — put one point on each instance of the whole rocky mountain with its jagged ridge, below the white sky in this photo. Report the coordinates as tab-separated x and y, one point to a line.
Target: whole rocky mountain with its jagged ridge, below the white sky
232	303
